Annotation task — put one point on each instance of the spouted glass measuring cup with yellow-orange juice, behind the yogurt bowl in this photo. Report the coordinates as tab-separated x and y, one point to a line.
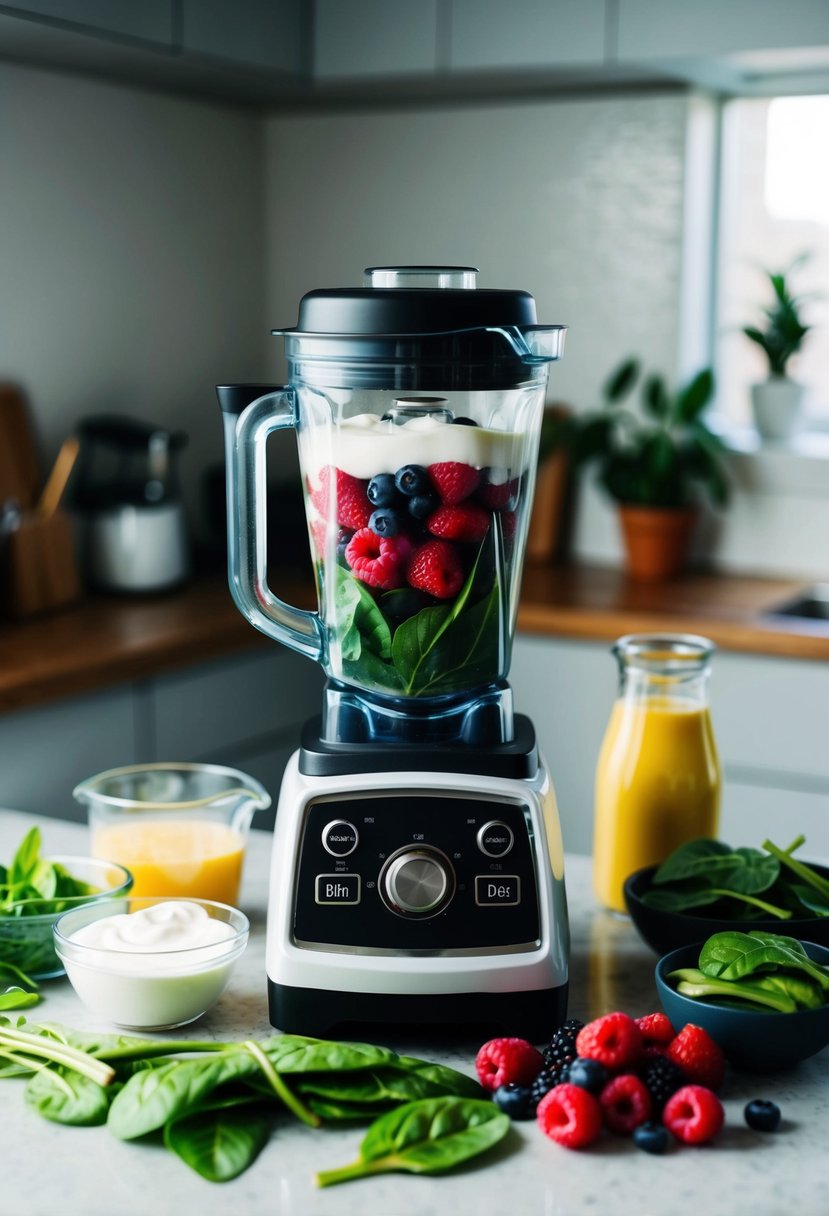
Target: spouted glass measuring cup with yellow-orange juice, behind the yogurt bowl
184	827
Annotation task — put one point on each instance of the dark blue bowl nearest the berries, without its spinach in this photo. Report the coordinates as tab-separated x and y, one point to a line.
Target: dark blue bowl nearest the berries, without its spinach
751	1040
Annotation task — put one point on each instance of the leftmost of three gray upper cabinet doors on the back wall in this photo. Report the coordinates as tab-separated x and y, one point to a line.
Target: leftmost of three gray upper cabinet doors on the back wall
357	40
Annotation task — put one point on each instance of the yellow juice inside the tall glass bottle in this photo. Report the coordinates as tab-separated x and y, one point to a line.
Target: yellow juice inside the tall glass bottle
657	786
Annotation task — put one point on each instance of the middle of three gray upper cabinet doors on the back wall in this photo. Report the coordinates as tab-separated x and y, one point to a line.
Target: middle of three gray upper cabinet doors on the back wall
527	33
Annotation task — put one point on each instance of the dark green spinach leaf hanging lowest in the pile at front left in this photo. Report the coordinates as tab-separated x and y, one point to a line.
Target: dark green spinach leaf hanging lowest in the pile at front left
219	1144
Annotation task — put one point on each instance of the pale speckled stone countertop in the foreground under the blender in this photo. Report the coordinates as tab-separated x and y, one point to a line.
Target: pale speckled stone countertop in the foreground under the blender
49	1169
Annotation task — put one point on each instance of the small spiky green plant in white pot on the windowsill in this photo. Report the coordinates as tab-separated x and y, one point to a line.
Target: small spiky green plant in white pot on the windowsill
777	402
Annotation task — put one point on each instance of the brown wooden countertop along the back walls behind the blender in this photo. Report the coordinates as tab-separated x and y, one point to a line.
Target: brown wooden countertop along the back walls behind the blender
106	640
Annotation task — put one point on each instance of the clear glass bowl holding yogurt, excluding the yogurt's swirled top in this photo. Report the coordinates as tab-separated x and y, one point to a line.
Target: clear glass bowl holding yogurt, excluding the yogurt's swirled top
148	988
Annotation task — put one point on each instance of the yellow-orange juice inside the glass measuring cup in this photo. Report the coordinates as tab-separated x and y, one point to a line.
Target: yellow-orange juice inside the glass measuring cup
188	858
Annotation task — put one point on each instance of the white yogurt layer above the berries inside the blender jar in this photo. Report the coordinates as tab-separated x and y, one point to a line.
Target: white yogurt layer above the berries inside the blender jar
366	446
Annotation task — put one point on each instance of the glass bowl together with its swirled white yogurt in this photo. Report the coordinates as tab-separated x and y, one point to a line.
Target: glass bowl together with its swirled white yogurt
151	964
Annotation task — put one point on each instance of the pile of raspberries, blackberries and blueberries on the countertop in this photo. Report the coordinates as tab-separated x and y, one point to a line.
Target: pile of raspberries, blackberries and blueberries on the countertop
631	1077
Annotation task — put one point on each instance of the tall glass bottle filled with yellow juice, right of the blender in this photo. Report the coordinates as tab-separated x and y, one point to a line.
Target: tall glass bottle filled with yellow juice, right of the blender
658	779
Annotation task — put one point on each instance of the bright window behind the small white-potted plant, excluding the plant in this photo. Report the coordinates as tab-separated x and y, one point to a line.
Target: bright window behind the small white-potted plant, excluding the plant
775	206
